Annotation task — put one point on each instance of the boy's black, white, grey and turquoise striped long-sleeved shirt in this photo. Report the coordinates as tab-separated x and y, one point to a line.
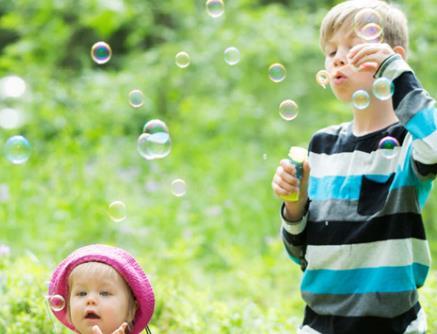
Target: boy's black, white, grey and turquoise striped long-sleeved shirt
362	244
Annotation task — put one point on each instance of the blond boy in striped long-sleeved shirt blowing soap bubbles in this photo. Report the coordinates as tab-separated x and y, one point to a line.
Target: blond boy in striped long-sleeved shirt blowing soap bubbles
357	228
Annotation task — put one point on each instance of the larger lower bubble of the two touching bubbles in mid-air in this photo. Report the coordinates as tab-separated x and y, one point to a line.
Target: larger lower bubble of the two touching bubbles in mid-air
154	146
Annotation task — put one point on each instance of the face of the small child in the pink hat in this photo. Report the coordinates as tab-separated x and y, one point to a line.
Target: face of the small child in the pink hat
98	297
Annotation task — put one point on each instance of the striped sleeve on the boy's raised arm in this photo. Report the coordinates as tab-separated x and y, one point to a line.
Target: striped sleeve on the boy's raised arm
416	110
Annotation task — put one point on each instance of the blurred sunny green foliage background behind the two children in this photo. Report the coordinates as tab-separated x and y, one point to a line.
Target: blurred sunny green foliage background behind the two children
214	256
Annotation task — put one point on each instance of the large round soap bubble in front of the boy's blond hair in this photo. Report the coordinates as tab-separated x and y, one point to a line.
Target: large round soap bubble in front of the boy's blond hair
368	24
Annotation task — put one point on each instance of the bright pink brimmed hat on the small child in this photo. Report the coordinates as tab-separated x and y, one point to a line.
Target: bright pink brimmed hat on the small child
123	263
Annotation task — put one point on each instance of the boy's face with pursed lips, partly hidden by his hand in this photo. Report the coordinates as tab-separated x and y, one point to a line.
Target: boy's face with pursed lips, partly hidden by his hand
344	78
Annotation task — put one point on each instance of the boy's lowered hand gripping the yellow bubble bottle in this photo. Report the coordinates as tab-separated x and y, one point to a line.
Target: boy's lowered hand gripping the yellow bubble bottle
285	182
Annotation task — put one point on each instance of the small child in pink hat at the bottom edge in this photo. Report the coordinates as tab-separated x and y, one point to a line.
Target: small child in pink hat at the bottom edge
105	290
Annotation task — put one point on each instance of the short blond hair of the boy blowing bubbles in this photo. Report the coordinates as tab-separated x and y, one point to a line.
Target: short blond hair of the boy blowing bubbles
395	26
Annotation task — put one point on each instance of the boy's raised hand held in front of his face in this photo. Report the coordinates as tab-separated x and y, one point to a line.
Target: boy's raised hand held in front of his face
368	56
